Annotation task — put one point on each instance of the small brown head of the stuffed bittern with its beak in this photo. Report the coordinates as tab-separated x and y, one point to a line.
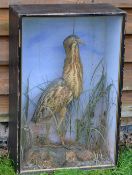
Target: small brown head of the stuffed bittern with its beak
70	41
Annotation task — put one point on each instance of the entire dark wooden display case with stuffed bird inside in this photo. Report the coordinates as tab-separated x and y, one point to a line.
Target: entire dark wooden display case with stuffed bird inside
66	70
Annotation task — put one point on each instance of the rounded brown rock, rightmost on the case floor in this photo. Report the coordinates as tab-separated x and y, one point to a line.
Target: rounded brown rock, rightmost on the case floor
84	155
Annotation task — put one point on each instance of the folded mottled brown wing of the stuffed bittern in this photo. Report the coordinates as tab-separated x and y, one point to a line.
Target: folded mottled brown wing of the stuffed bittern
55	96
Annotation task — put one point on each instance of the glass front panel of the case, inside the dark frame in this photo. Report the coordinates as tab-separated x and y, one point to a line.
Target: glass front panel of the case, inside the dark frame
70	75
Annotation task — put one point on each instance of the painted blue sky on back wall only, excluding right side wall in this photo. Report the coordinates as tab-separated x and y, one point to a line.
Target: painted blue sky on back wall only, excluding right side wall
43	50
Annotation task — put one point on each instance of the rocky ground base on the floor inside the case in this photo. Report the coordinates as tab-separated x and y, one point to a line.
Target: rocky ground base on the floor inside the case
56	156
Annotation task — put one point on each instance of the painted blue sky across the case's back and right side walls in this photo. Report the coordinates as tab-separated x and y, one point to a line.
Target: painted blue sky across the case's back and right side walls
43	53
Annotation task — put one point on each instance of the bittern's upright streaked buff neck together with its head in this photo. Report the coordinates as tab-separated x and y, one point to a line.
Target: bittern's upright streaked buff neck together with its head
73	71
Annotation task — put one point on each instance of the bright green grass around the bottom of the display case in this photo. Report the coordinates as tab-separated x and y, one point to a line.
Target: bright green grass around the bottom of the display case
124	167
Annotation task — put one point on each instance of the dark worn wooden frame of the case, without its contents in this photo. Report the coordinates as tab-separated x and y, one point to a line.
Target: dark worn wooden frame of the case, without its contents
17	12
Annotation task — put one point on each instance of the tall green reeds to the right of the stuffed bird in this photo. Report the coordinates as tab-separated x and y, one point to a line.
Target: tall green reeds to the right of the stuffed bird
85	126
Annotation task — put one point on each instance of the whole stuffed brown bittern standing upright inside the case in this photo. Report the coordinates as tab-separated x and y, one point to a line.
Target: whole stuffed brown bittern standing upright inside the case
60	93
